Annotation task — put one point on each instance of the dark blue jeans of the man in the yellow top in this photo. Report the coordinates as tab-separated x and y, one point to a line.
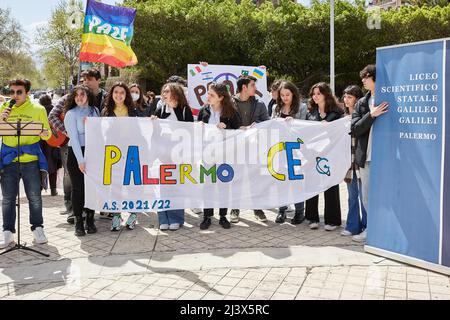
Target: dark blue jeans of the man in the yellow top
32	183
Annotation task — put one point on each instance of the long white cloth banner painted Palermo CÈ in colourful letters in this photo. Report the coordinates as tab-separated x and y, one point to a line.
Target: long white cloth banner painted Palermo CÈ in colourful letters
138	164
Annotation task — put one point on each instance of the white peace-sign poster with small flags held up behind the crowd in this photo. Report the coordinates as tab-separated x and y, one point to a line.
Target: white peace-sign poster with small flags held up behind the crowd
199	77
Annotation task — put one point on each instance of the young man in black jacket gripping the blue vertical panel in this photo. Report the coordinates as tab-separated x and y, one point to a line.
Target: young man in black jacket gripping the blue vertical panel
362	120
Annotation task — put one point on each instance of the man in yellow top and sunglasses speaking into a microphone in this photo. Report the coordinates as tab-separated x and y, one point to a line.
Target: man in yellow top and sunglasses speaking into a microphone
32	161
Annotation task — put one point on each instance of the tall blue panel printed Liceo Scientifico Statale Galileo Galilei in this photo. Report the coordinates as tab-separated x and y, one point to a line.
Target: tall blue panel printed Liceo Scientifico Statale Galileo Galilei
408	216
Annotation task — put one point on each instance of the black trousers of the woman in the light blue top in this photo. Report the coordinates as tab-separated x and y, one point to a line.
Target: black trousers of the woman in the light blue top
77	179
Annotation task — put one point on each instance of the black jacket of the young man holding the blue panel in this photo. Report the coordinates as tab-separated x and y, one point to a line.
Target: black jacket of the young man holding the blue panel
361	123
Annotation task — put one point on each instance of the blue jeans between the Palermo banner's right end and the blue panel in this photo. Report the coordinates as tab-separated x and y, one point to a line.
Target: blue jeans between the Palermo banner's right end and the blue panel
356	223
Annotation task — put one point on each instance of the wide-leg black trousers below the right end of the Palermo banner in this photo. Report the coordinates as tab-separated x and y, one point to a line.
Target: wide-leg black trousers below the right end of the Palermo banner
332	207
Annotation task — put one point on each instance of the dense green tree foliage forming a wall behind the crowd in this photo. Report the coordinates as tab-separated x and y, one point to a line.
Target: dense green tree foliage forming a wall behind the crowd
290	39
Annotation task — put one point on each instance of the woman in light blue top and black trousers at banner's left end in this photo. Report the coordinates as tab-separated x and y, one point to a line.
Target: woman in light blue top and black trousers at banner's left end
78	106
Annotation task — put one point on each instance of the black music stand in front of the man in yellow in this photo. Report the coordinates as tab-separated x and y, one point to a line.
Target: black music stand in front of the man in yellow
18	129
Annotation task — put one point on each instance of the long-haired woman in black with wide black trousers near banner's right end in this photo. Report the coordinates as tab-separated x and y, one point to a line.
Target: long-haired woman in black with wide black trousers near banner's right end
323	107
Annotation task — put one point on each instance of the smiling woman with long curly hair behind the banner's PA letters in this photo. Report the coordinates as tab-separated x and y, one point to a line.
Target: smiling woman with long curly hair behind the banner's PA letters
119	103
